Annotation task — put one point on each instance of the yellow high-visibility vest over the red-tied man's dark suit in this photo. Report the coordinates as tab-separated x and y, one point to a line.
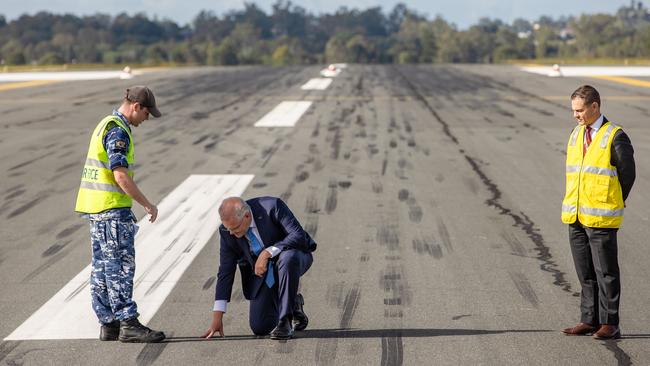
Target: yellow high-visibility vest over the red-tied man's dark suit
593	192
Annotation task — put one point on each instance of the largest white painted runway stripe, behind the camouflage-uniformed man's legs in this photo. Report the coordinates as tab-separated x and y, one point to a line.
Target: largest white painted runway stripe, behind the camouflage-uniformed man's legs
188	217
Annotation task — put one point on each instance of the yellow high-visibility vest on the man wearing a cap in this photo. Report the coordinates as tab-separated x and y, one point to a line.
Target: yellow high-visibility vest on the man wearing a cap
98	190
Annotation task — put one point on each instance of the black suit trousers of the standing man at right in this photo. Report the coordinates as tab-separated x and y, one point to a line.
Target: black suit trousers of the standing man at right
595	254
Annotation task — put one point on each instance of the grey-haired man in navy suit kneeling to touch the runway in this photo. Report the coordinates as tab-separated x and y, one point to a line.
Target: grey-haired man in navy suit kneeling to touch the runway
264	239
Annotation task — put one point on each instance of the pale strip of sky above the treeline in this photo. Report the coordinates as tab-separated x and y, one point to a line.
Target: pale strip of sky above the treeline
461	12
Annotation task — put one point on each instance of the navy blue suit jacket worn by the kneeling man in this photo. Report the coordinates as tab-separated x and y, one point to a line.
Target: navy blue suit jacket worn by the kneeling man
277	226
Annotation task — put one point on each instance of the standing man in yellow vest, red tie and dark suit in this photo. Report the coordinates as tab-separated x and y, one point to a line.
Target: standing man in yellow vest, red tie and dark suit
600	172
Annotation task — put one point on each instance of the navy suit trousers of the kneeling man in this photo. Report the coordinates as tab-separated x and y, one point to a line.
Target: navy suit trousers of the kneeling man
272	304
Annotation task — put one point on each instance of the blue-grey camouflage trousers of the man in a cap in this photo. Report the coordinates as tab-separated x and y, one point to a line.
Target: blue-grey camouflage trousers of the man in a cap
113	267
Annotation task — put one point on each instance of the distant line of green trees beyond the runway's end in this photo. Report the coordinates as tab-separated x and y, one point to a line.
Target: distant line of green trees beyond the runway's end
292	35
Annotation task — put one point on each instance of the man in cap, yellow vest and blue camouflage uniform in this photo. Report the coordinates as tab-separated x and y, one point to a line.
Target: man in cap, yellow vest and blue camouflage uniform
105	198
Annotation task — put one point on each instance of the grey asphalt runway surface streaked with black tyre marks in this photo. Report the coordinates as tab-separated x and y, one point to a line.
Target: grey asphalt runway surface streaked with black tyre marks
434	194
